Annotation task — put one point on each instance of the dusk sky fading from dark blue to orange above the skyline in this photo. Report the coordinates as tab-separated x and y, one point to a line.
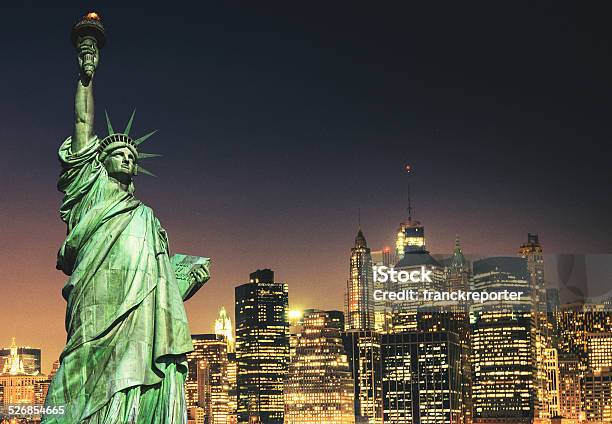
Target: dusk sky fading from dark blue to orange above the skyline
278	121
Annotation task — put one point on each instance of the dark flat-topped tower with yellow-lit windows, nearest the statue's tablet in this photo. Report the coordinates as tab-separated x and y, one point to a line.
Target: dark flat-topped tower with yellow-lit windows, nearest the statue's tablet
262	348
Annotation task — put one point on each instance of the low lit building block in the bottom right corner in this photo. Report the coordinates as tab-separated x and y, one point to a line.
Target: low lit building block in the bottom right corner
597	396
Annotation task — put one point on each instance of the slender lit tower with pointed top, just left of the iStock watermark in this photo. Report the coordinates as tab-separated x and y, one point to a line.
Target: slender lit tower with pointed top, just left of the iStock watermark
360	287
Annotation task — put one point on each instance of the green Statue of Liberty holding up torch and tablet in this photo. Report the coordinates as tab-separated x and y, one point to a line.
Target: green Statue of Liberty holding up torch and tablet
125	357
